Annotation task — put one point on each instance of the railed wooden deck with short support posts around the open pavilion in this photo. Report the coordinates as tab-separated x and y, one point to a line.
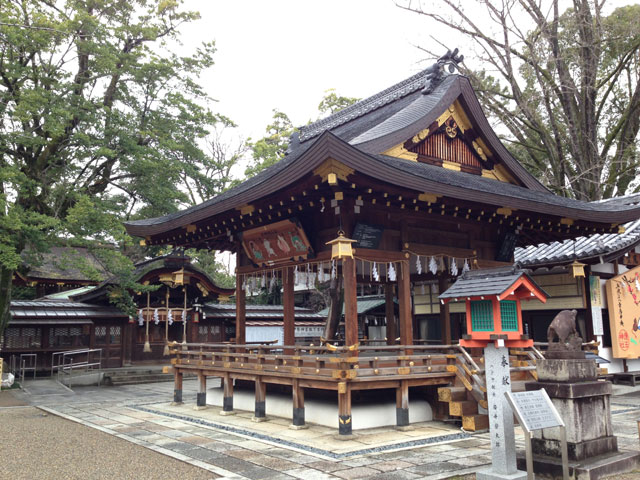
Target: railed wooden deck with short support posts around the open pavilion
339	369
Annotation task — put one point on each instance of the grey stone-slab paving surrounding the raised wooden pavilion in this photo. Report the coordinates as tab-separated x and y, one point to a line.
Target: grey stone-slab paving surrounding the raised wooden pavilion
236	448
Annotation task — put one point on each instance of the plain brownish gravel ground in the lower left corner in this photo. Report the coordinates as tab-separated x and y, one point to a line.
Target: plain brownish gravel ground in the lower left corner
37	445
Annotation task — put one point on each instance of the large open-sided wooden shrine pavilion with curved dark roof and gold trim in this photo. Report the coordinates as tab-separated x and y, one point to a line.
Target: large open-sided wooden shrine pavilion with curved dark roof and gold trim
418	179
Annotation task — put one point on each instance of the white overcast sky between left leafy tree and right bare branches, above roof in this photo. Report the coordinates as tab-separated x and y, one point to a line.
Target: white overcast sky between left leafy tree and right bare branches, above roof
284	54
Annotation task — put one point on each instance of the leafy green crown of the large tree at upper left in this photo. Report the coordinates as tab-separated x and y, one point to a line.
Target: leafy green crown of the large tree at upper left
99	122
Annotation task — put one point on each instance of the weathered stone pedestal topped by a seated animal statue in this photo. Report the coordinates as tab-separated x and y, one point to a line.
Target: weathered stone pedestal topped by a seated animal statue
571	381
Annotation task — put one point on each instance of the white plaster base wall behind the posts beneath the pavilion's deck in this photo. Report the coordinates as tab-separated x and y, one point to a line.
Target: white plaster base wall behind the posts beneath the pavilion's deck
380	414
